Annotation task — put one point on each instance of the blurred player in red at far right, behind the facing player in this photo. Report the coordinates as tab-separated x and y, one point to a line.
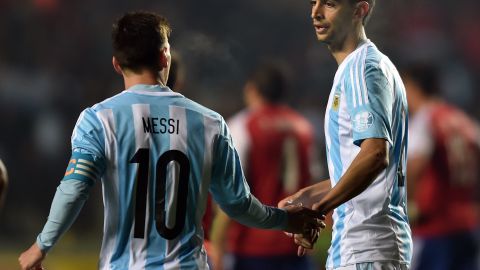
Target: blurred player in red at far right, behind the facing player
443	172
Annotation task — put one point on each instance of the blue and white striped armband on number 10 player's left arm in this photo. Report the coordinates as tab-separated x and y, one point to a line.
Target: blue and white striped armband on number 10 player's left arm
82	167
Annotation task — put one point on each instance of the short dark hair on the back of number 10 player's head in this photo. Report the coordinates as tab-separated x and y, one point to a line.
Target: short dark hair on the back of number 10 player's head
137	38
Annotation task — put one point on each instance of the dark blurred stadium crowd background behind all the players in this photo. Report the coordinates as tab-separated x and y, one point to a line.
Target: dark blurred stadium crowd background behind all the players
55	59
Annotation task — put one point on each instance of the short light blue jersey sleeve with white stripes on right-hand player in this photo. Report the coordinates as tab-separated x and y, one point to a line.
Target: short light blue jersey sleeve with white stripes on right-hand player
371	113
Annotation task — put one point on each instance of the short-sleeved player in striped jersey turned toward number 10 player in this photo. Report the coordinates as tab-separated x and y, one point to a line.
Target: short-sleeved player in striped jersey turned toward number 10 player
366	136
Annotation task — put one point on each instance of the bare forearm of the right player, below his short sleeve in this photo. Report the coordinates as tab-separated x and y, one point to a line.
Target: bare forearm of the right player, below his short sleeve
361	173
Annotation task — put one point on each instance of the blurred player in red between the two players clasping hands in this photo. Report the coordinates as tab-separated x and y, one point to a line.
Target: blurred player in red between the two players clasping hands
275	145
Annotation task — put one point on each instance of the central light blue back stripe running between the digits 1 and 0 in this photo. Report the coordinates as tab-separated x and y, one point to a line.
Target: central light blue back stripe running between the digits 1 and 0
159	145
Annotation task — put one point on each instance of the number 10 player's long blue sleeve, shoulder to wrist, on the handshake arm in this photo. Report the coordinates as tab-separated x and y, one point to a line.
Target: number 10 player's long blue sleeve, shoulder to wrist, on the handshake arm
232	193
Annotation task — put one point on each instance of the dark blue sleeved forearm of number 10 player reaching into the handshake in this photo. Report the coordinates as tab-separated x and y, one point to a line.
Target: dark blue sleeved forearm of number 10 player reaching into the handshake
252	213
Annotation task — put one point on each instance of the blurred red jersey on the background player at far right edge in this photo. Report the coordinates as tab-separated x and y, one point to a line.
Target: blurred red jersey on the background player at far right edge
446	193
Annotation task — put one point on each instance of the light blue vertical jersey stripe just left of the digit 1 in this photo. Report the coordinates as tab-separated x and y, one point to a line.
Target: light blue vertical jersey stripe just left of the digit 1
123	117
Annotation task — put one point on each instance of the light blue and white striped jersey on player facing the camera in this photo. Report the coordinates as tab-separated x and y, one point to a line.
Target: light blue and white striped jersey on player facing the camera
368	100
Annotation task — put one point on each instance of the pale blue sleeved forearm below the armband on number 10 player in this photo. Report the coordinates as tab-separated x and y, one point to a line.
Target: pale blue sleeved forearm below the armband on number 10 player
67	203
